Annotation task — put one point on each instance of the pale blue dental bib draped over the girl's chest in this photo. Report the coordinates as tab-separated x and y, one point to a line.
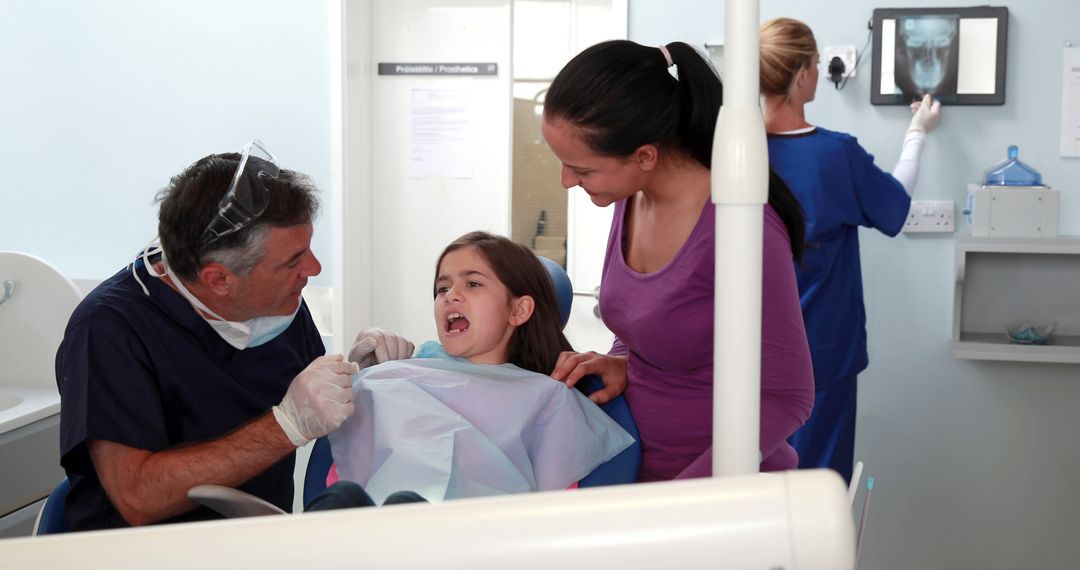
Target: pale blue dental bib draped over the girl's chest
448	429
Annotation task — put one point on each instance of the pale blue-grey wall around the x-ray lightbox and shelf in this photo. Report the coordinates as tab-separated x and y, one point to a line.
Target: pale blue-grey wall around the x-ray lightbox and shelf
975	463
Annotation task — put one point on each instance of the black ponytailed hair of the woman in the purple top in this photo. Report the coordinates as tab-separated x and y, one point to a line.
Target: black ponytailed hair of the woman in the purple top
620	97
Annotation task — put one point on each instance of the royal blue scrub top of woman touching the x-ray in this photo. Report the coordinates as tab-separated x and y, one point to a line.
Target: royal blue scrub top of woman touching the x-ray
841	189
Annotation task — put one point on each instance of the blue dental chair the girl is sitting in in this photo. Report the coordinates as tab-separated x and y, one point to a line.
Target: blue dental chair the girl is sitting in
619	470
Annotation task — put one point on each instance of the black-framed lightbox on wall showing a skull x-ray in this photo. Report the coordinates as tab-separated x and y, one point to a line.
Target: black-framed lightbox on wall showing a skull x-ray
956	55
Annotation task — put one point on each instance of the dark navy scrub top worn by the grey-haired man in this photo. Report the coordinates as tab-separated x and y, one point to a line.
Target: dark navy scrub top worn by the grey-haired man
150	373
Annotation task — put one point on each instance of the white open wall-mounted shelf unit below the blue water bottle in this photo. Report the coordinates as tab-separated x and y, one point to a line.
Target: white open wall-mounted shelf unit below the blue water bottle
1003	281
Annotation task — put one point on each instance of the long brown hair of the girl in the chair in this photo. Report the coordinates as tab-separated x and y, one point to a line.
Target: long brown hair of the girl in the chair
535	345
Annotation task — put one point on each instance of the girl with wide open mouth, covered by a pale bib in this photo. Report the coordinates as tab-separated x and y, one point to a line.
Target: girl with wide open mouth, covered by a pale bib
479	415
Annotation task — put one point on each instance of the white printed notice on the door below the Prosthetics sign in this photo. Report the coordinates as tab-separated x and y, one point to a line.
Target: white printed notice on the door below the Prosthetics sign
441	134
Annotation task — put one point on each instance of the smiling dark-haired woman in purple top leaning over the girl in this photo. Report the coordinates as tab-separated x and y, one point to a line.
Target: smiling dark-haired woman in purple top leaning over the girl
633	134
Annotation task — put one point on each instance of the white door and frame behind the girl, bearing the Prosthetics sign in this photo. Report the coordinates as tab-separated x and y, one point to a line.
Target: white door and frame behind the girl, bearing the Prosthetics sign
413	220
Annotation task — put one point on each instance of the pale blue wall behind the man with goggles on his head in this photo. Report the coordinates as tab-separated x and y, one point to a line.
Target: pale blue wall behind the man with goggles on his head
103	102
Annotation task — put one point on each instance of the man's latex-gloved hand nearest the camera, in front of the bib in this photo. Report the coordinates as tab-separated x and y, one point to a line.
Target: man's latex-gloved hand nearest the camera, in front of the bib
319	400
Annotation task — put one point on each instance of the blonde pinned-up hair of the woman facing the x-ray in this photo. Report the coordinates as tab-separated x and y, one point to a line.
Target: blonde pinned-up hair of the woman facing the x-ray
788	46
